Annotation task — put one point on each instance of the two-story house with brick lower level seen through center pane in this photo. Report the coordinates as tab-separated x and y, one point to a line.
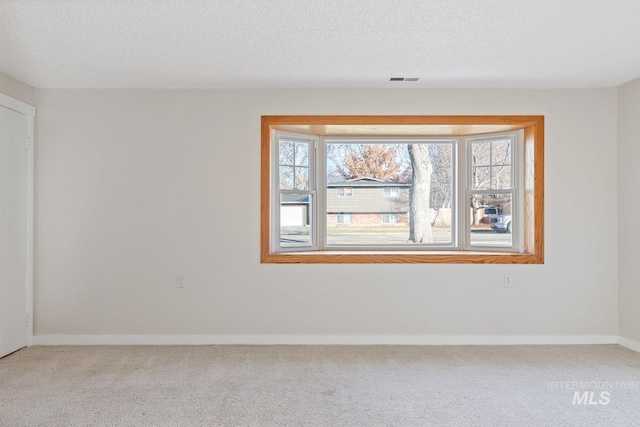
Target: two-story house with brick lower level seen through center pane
367	201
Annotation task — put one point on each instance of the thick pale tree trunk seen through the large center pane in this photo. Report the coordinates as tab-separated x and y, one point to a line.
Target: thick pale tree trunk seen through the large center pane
419	224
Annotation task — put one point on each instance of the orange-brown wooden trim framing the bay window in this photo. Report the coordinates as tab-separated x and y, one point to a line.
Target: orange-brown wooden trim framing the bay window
533	127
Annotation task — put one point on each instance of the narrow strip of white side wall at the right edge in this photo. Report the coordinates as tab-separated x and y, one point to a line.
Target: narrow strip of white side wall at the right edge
629	209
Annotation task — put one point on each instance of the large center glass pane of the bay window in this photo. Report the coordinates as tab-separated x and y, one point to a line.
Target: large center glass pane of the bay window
381	178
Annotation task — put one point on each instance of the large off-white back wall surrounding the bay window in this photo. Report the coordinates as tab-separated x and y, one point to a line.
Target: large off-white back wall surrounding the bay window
135	186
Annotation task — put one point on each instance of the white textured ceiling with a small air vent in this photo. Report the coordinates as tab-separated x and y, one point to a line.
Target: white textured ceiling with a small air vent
320	43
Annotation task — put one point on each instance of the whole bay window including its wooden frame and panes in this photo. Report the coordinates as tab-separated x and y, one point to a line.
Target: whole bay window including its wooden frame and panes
402	189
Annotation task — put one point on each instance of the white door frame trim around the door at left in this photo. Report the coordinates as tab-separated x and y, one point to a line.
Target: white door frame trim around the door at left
30	112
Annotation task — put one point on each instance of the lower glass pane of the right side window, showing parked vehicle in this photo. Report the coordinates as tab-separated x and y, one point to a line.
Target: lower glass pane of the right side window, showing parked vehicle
490	220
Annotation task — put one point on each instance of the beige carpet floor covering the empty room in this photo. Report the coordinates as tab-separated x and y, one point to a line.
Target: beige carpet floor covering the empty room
319	386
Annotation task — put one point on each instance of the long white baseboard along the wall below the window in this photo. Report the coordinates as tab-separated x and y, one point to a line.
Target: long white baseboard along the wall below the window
322	339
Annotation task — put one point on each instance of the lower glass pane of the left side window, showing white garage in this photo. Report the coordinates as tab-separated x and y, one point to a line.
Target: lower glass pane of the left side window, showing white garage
295	219
